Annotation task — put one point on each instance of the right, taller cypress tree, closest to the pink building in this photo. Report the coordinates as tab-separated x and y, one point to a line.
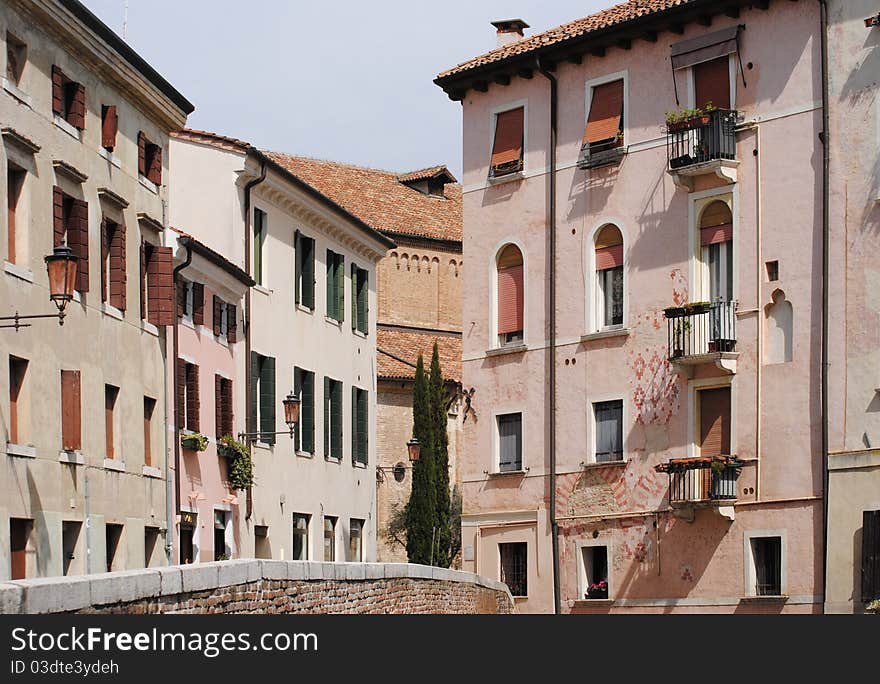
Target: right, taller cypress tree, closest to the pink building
443	538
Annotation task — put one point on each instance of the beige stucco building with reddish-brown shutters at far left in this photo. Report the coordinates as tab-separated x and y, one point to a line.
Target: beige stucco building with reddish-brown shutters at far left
85	122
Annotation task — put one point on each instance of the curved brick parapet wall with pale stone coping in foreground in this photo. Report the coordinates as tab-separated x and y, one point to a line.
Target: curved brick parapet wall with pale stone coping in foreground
255	586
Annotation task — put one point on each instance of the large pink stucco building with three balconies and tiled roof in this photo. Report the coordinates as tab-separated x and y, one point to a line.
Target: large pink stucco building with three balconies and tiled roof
642	313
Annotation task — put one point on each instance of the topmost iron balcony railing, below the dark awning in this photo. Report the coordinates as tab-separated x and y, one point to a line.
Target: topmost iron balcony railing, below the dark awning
701	139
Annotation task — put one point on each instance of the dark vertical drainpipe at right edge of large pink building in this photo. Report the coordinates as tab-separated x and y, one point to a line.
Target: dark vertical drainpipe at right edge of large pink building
826	198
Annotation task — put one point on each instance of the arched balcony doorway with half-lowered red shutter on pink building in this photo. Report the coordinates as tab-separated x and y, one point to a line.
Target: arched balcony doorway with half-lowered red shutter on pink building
716	251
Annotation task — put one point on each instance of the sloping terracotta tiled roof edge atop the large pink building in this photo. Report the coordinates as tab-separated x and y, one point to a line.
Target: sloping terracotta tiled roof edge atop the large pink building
625	11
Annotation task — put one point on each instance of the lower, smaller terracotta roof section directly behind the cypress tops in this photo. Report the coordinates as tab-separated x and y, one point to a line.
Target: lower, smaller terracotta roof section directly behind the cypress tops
407	345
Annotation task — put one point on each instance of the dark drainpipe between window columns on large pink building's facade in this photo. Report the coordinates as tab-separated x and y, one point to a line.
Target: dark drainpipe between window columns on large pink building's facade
551	210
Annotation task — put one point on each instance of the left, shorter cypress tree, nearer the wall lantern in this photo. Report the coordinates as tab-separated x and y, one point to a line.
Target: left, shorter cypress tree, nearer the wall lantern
422	505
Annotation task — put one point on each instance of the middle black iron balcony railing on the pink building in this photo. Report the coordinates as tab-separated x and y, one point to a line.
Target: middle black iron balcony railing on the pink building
701	328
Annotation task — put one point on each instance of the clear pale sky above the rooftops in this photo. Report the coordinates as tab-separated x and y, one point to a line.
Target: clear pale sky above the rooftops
349	81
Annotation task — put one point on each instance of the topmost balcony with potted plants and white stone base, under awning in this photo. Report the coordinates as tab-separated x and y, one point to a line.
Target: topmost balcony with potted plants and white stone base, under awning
703	144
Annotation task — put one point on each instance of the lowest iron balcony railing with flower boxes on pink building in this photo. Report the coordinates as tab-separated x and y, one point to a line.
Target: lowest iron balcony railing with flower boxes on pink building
702	479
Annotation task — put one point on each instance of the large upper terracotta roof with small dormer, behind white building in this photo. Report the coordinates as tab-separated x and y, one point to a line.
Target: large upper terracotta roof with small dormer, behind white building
380	198
